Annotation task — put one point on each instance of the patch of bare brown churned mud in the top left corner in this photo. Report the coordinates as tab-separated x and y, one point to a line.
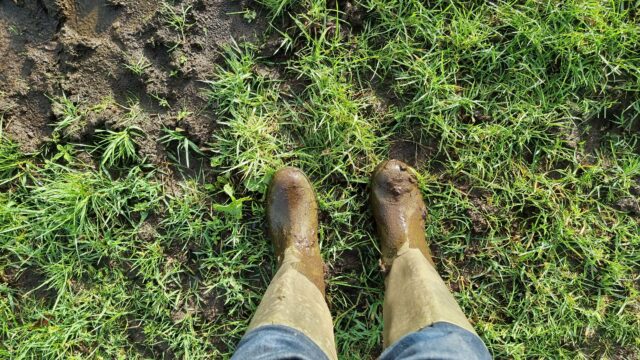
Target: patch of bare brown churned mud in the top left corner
79	48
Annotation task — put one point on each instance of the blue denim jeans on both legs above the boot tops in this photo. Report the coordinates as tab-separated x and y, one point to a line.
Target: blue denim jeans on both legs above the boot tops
439	341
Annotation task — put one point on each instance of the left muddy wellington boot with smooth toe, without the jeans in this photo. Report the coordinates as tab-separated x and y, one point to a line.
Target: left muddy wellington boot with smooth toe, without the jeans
295	297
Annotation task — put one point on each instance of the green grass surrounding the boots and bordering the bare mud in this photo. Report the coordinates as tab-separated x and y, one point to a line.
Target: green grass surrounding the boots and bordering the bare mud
524	118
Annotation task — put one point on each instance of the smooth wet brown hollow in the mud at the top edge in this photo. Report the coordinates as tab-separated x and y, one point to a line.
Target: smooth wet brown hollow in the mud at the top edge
89	17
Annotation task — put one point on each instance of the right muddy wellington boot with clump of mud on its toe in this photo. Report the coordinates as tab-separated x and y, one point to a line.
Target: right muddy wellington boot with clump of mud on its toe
415	295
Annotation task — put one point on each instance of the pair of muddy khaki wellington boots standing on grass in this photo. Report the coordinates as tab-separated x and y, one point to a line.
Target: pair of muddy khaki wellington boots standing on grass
415	295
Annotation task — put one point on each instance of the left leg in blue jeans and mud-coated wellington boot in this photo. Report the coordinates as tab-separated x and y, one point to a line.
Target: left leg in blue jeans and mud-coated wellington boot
293	317
